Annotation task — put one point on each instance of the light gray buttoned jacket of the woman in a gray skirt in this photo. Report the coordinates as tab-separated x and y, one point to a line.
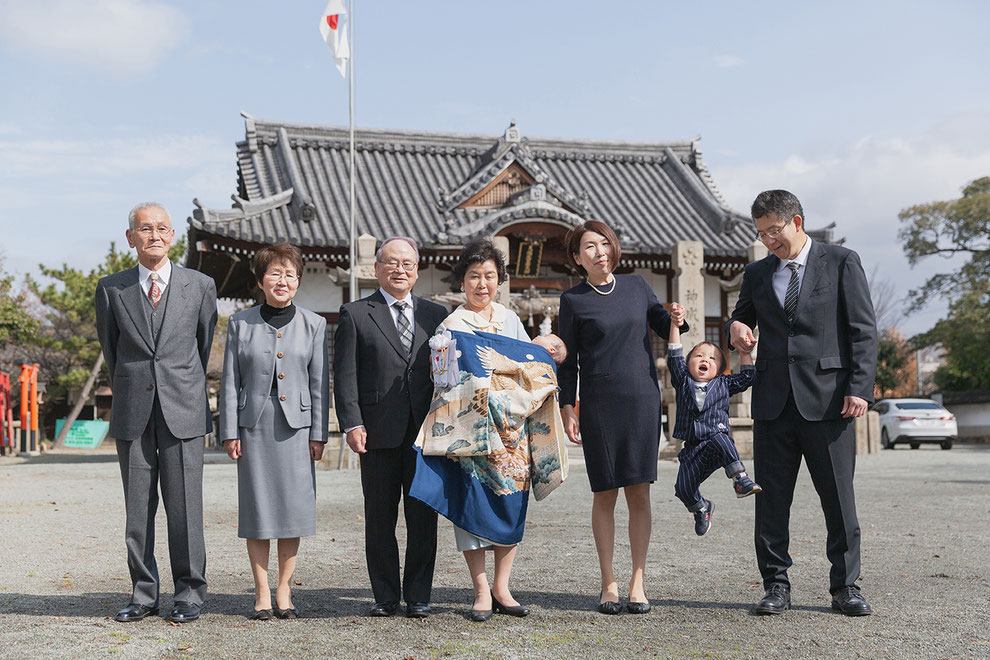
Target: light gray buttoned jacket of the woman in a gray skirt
254	351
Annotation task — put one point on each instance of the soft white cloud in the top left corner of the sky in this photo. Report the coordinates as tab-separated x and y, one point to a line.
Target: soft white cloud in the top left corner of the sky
118	36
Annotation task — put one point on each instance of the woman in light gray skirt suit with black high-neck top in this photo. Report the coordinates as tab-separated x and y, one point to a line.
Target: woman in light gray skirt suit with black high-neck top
274	406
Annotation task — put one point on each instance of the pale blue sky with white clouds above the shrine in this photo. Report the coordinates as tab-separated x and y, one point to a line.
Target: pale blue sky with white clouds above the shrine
860	108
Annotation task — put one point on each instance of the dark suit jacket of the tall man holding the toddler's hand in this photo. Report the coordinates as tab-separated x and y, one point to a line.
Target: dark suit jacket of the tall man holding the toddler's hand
828	352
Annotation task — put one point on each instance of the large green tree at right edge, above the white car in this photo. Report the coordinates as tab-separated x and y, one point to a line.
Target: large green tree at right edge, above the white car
959	227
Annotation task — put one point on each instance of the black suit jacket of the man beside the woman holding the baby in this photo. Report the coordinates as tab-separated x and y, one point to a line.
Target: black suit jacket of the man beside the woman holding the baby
374	383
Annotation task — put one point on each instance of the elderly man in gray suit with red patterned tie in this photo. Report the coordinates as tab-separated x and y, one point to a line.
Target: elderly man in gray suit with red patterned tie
155	322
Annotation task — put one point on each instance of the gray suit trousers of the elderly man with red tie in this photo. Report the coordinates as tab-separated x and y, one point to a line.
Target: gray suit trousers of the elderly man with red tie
178	464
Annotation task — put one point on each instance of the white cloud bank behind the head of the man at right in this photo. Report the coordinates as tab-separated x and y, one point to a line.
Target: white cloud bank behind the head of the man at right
861	186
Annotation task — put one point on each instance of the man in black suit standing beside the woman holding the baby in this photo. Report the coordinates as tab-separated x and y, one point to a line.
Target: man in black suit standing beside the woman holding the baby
382	391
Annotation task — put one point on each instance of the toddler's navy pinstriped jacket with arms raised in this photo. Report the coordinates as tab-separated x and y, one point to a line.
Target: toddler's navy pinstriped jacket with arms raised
694	424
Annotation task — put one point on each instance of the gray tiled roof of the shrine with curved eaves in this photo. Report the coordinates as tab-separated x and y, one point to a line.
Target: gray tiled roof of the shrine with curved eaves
293	185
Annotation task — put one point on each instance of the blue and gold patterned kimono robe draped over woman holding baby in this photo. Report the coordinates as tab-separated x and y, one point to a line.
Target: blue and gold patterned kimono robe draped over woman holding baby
491	437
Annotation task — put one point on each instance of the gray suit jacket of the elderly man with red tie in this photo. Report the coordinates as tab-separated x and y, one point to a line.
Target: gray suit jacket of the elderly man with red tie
175	368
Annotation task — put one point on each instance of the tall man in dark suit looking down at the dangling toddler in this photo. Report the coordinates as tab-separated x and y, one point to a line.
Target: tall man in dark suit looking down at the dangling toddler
815	373
